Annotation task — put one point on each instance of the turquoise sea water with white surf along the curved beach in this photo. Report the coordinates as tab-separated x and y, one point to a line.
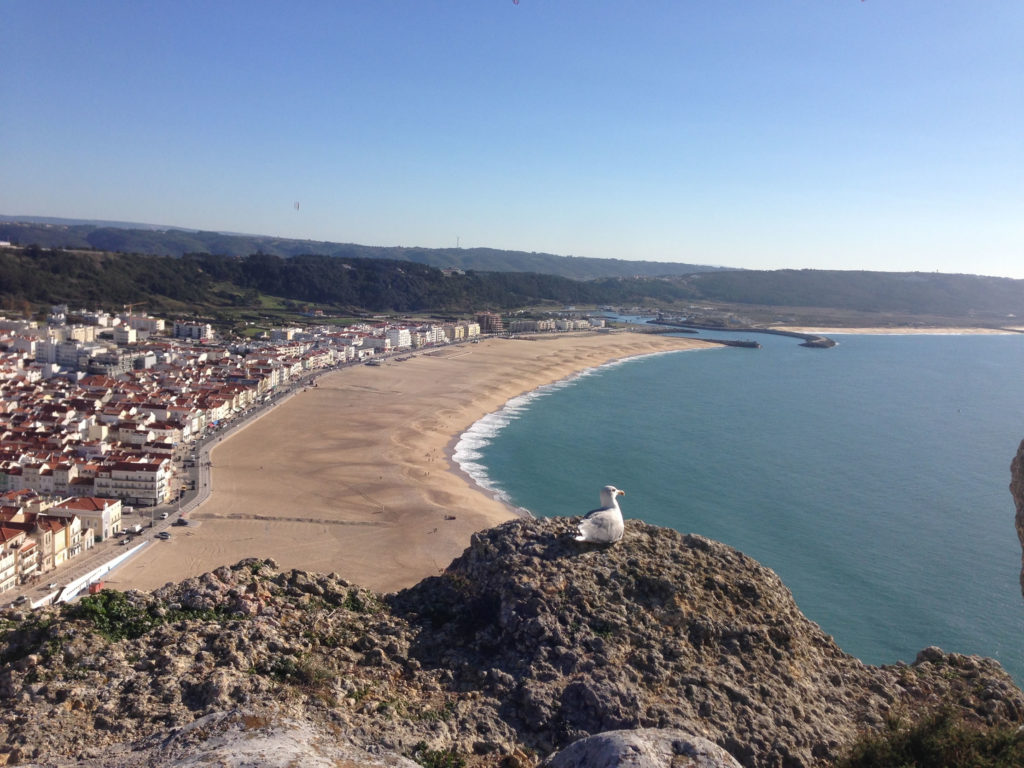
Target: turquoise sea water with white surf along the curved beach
873	478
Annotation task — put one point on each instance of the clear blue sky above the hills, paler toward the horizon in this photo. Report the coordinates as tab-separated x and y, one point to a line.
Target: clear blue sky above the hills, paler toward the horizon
886	135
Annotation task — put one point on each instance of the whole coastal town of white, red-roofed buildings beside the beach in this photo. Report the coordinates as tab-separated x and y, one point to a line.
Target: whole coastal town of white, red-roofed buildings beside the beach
102	418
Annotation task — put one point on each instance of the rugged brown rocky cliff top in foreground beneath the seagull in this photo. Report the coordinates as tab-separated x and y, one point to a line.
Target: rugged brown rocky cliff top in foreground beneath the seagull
524	647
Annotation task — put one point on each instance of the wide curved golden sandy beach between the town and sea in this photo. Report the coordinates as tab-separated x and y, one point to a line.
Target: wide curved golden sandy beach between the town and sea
355	477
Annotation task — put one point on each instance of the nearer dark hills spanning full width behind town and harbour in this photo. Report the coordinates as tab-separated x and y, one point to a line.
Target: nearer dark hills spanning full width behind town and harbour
212	284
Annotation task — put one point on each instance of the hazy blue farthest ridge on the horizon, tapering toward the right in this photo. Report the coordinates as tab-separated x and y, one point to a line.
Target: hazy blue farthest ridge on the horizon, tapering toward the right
165	241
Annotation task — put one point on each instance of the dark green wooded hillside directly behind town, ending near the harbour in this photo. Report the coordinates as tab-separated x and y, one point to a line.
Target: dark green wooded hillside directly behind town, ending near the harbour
202	282
